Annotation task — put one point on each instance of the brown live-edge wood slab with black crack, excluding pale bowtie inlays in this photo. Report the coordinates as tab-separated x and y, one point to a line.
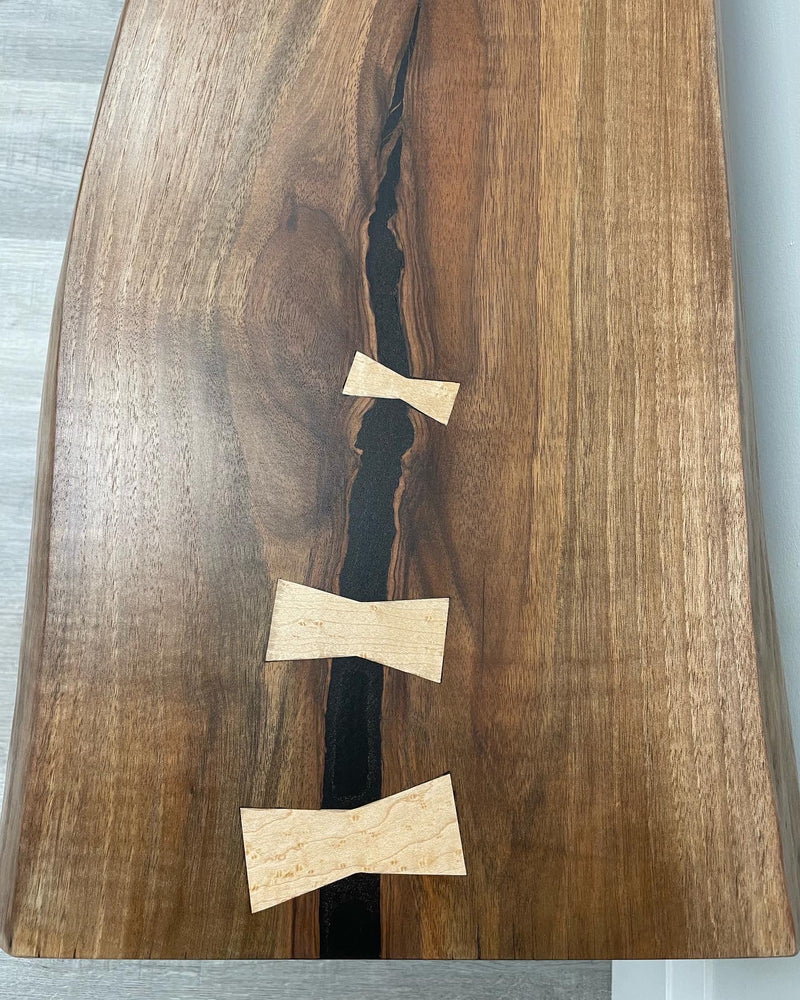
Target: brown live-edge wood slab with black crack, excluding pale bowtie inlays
522	197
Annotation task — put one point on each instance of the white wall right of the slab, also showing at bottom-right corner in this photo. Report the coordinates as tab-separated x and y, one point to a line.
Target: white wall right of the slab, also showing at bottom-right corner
760	68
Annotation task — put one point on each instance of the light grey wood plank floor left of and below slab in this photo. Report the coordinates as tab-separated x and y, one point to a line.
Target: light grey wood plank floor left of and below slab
52	58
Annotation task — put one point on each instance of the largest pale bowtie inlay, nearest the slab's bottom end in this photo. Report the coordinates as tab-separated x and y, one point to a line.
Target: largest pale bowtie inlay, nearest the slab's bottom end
291	851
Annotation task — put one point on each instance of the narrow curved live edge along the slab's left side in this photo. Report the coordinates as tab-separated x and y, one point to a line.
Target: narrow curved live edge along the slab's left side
36	598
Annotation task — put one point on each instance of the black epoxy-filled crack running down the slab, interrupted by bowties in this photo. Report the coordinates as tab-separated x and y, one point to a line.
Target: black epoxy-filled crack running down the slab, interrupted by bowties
350	922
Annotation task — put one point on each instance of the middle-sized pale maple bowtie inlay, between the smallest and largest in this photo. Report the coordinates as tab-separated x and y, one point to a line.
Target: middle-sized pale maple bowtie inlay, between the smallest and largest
309	624
